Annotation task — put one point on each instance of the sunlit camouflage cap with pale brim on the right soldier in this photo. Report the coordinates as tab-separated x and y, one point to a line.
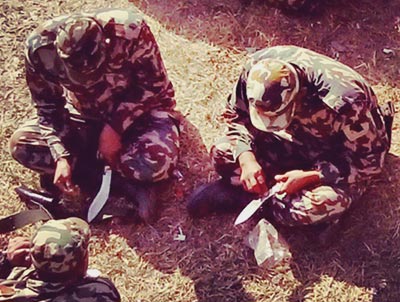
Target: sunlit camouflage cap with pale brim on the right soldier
271	88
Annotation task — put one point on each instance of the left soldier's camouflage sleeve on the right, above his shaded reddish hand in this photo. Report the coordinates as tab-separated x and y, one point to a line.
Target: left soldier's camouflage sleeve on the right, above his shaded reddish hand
150	88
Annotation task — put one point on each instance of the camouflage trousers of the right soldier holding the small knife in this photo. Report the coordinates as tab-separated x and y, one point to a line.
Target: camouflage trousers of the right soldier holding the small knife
318	204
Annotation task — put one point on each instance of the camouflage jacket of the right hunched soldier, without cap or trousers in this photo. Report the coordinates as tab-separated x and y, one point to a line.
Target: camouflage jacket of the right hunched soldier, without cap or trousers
337	125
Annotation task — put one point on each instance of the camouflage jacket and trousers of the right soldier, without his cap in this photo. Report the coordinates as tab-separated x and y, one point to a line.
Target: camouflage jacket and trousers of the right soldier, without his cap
336	129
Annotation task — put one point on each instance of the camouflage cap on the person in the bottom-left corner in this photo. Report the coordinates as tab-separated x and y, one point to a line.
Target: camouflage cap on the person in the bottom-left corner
60	246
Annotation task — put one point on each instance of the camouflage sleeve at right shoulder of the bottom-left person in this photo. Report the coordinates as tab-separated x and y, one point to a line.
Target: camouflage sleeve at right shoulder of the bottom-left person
91	290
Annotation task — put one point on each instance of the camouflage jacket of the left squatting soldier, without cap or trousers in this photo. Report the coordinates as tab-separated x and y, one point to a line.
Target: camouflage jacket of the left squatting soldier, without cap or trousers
134	79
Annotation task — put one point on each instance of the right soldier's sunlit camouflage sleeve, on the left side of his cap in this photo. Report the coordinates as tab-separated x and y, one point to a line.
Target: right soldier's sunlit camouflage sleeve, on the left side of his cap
236	115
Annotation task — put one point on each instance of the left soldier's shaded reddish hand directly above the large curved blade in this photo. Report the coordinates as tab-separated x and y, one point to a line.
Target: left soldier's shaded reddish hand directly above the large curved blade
110	146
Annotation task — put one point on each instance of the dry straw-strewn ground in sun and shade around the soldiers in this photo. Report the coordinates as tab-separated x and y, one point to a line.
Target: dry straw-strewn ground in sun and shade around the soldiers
203	43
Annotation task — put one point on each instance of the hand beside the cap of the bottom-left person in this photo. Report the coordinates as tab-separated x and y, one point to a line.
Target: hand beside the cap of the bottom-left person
18	251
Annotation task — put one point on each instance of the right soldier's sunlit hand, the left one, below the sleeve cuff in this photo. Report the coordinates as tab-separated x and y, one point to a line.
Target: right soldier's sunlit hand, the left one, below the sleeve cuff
252	176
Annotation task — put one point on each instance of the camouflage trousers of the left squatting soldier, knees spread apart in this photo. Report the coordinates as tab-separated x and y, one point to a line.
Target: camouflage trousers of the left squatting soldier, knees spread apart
149	152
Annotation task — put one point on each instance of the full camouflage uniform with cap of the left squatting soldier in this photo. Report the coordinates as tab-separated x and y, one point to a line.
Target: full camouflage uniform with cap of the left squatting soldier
129	90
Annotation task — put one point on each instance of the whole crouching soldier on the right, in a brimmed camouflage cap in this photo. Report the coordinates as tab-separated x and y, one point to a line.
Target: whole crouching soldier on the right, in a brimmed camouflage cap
303	120
